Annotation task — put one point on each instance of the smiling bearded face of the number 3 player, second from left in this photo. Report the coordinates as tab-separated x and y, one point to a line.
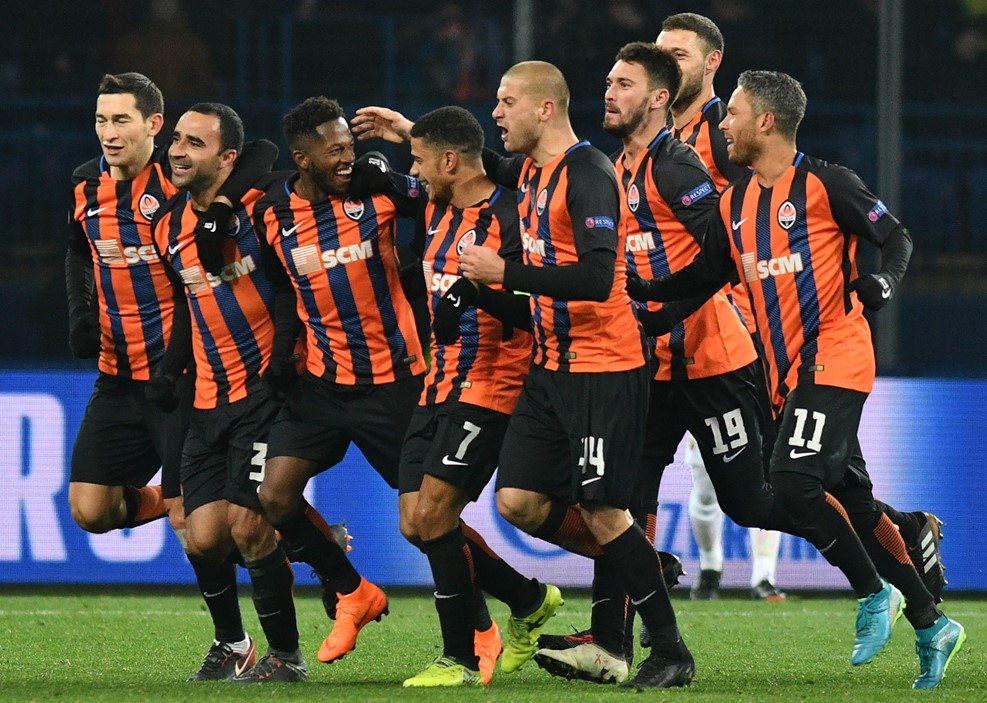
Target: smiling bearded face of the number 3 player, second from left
195	152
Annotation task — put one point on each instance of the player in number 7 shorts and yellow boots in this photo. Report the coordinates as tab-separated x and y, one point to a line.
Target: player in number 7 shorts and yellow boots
478	365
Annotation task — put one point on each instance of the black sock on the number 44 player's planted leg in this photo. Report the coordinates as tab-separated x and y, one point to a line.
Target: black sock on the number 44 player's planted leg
636	564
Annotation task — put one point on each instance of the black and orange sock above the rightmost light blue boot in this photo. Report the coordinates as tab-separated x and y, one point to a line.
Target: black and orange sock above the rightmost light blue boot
878	535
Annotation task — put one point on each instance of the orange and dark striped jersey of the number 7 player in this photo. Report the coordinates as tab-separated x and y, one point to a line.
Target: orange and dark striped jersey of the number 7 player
481	368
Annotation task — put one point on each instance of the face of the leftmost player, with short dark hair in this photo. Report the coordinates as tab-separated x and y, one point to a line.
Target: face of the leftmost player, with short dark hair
126	137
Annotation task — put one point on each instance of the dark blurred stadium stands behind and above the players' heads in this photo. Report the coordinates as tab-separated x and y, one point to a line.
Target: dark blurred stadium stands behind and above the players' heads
264	57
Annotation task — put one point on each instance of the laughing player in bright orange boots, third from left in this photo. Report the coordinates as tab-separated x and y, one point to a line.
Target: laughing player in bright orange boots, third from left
363	360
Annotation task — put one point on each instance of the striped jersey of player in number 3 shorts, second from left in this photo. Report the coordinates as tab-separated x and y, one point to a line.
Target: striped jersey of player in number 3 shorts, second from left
233	312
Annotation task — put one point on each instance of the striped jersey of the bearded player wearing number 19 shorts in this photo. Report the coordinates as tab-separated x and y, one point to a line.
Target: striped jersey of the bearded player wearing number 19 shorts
668	199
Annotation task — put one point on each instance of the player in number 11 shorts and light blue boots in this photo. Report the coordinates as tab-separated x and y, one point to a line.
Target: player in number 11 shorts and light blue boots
789	231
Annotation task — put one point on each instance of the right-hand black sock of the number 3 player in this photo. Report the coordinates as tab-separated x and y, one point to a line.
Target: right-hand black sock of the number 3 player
273	580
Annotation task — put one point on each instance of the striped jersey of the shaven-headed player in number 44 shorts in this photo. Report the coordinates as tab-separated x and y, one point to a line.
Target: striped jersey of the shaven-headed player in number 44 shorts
568	207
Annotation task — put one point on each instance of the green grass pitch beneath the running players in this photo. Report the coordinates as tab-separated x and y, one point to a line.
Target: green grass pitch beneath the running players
116	645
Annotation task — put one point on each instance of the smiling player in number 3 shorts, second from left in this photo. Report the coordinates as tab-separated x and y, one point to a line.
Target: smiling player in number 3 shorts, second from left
242	315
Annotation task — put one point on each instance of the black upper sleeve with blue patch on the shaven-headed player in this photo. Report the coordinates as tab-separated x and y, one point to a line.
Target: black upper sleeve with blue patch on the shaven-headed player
593	203
